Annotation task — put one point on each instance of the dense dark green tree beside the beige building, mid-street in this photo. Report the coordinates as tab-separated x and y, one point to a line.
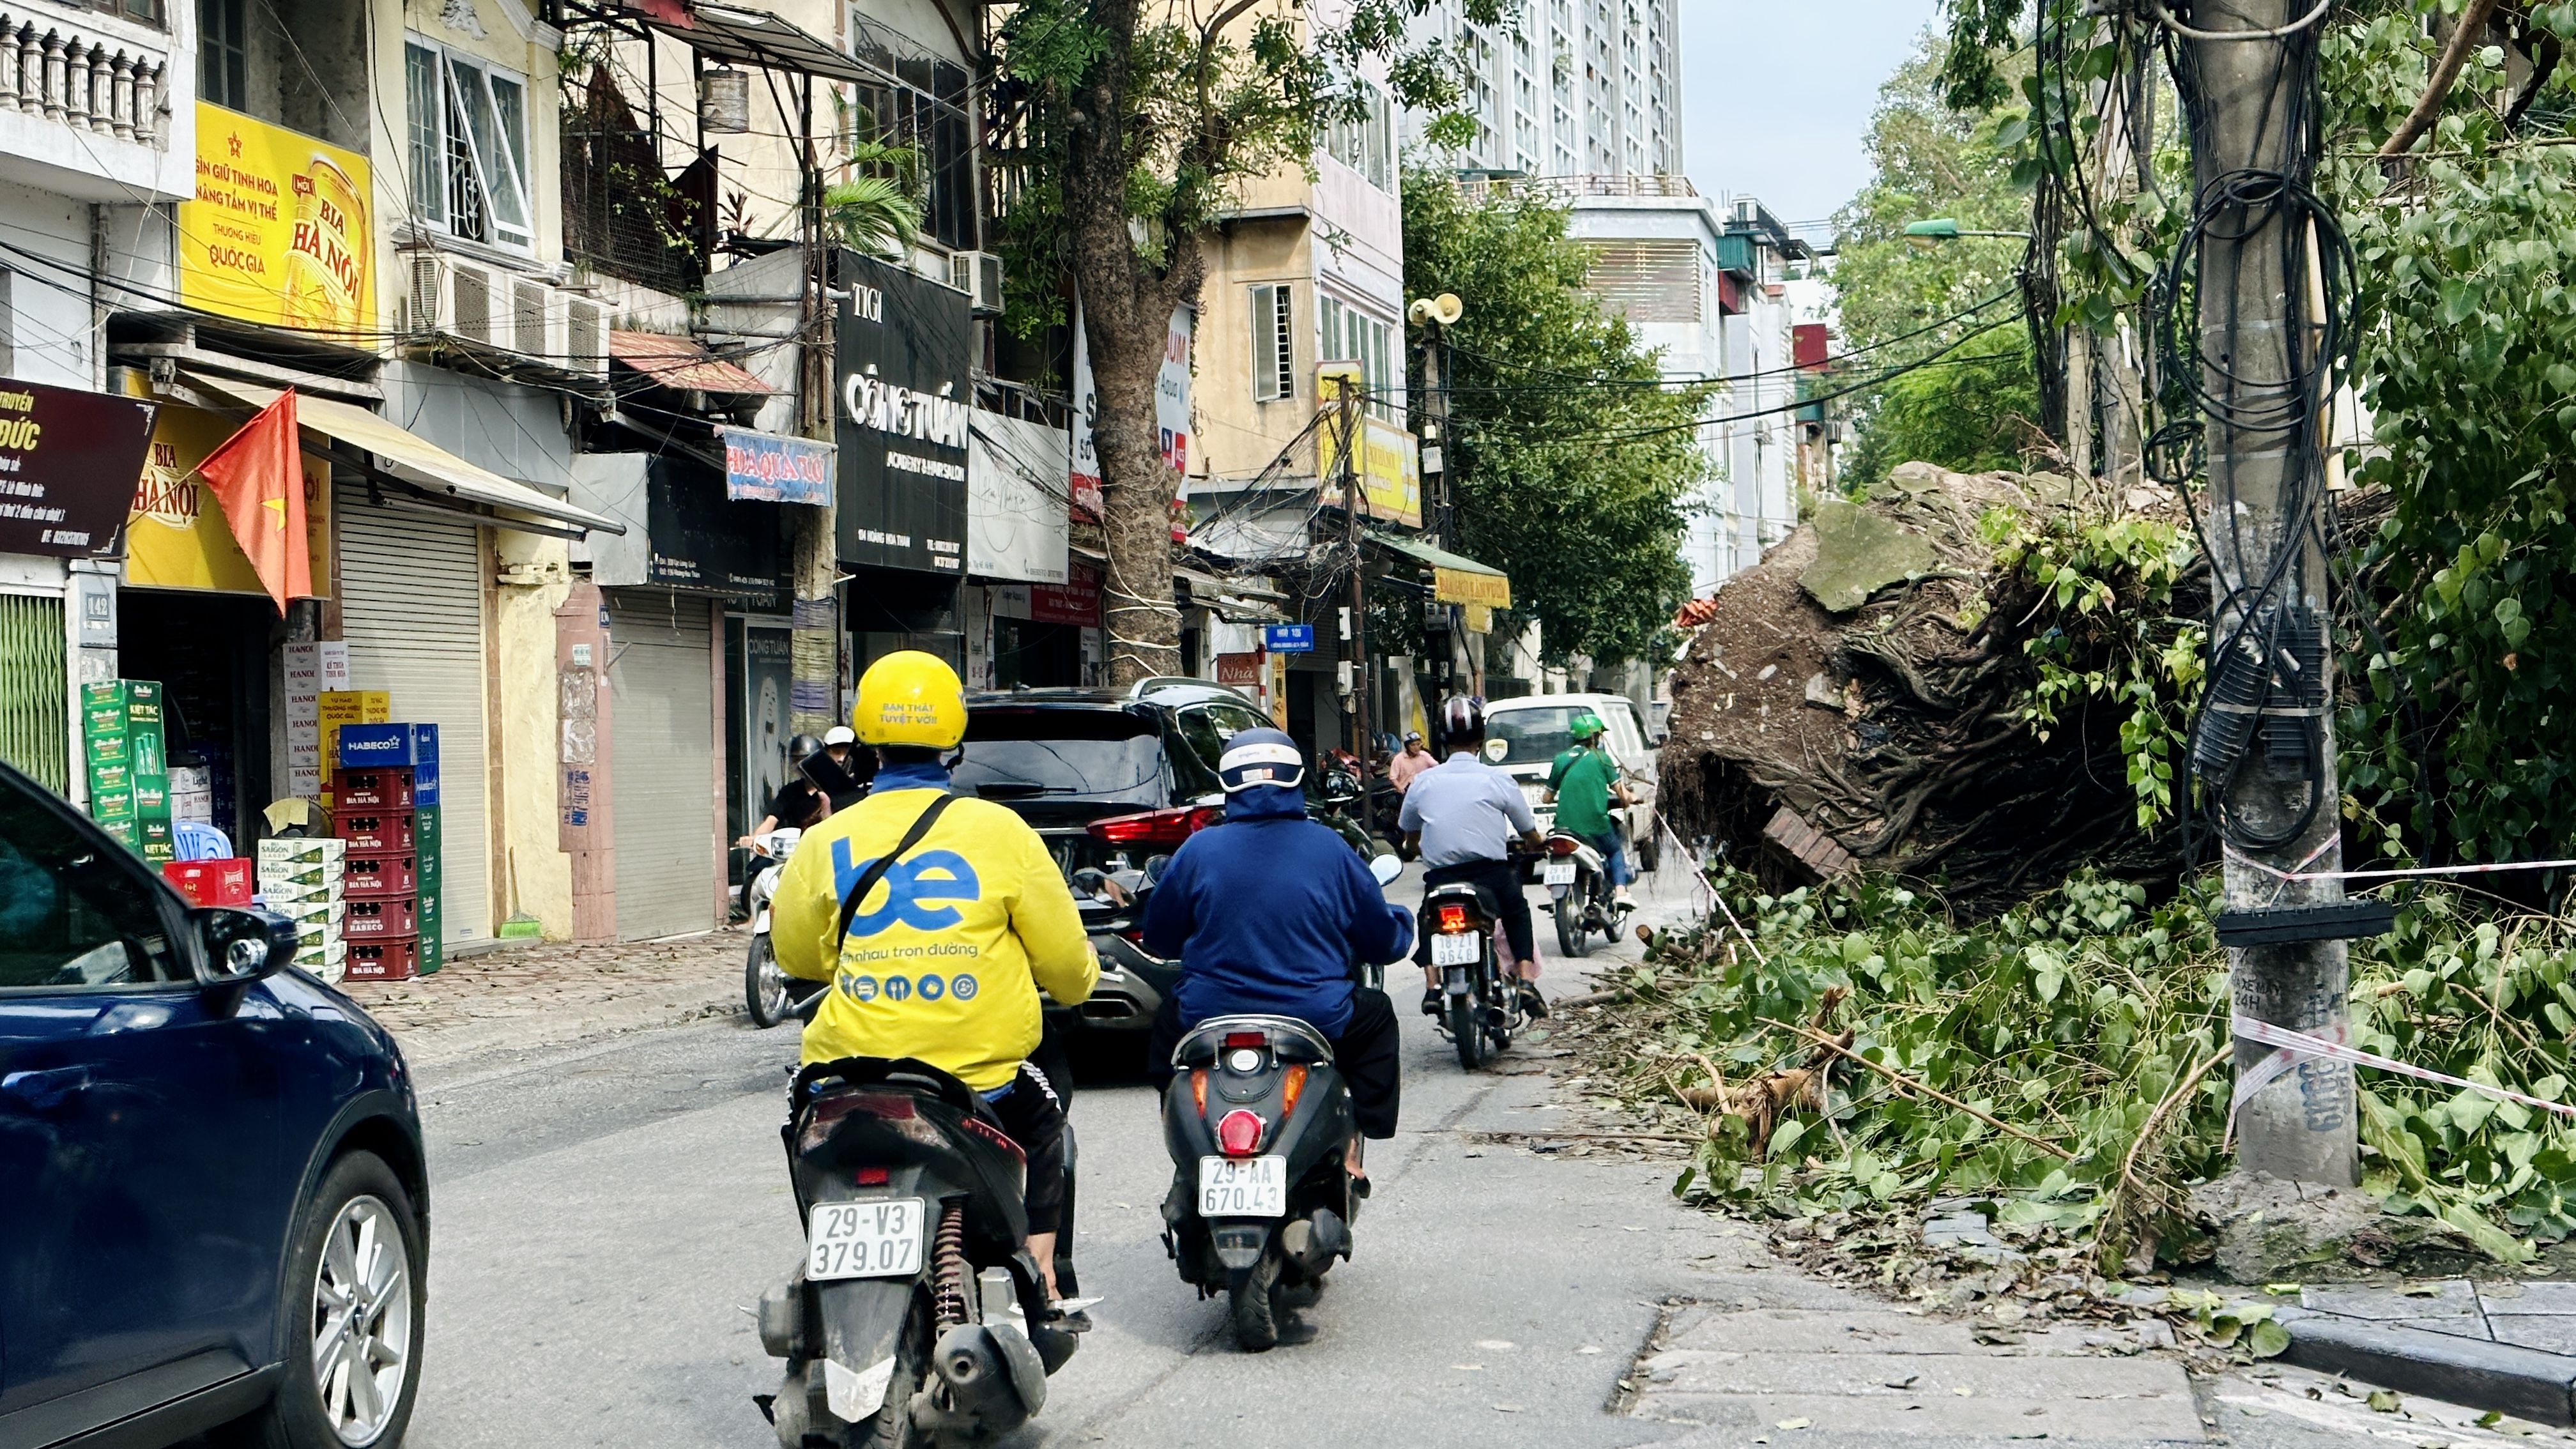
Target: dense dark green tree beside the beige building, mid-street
1575	463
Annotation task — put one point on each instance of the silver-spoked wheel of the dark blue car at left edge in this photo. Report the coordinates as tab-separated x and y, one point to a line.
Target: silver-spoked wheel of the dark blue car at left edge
354	1308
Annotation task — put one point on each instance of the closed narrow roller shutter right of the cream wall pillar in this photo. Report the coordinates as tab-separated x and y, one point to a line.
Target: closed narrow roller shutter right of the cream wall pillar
663	762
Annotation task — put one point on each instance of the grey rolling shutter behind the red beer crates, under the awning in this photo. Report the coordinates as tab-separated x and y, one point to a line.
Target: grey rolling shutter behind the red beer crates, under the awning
411	610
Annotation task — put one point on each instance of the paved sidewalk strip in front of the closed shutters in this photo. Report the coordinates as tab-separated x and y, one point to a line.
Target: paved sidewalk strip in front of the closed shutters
553	994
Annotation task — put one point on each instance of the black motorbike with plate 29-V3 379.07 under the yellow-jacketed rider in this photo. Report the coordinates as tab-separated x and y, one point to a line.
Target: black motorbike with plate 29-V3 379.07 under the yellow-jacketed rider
918	1314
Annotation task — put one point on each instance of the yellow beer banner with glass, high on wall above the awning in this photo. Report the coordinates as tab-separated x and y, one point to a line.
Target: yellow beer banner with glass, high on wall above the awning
279	228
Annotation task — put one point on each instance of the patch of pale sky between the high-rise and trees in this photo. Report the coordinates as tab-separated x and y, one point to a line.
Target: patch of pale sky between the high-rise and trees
1776	97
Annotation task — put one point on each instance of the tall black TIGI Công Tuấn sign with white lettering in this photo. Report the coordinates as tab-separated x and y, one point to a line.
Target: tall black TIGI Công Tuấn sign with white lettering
905	406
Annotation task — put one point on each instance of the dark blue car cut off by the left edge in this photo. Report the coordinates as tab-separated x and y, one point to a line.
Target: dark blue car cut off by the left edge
213	1195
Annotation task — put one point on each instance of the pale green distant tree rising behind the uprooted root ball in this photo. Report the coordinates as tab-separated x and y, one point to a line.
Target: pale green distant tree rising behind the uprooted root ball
1892	298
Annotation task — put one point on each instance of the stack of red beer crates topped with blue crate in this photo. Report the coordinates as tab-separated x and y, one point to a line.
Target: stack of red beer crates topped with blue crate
385	811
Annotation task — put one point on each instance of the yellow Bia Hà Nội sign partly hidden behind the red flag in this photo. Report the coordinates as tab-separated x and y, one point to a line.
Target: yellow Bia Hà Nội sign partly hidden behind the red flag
179	538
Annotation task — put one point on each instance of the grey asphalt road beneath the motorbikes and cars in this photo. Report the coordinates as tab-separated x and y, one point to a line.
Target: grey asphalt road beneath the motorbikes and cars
607	1218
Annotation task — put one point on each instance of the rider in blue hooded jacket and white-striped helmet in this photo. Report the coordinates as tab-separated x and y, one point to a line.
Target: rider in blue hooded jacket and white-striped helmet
1266	917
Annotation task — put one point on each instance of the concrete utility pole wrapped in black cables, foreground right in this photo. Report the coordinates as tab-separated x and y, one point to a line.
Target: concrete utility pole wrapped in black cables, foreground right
2266	741
